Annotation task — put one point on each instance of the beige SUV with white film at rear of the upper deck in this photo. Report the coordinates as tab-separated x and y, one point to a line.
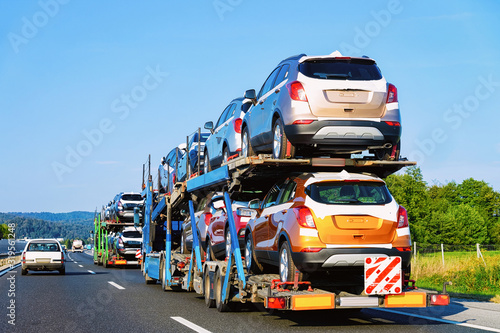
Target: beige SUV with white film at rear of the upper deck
323	105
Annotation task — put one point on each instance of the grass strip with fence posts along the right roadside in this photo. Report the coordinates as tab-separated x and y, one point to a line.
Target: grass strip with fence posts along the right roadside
469	274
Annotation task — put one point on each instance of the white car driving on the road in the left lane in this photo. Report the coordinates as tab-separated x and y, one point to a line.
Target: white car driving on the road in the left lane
43	255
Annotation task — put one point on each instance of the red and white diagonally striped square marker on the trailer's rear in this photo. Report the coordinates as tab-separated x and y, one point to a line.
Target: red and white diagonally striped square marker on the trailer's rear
383	275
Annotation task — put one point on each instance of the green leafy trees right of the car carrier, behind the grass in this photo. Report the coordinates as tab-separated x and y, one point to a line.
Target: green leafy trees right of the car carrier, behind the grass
465	213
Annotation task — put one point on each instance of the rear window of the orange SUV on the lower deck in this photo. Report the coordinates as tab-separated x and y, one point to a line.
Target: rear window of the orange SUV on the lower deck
355	193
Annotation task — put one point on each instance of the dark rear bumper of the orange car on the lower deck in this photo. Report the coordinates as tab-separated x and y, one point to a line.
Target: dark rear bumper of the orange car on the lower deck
345	258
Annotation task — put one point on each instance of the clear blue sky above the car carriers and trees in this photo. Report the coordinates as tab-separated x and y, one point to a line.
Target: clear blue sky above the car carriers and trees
88	88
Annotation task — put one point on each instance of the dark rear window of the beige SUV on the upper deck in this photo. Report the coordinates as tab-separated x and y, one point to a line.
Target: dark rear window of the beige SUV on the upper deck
332	69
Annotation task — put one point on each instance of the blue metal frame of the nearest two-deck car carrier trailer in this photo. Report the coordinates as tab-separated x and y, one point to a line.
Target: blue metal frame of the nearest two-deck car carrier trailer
224	282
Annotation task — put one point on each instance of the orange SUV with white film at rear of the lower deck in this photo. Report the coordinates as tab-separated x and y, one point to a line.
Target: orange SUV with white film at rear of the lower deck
325	225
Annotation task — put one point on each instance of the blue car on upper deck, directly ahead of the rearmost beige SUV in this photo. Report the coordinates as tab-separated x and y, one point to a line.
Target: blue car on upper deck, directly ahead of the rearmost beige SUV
225	137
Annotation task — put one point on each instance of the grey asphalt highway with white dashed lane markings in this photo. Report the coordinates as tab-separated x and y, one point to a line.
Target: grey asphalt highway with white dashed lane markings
91	298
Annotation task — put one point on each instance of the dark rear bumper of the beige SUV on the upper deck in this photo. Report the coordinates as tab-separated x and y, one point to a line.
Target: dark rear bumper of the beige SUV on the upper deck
343	133
